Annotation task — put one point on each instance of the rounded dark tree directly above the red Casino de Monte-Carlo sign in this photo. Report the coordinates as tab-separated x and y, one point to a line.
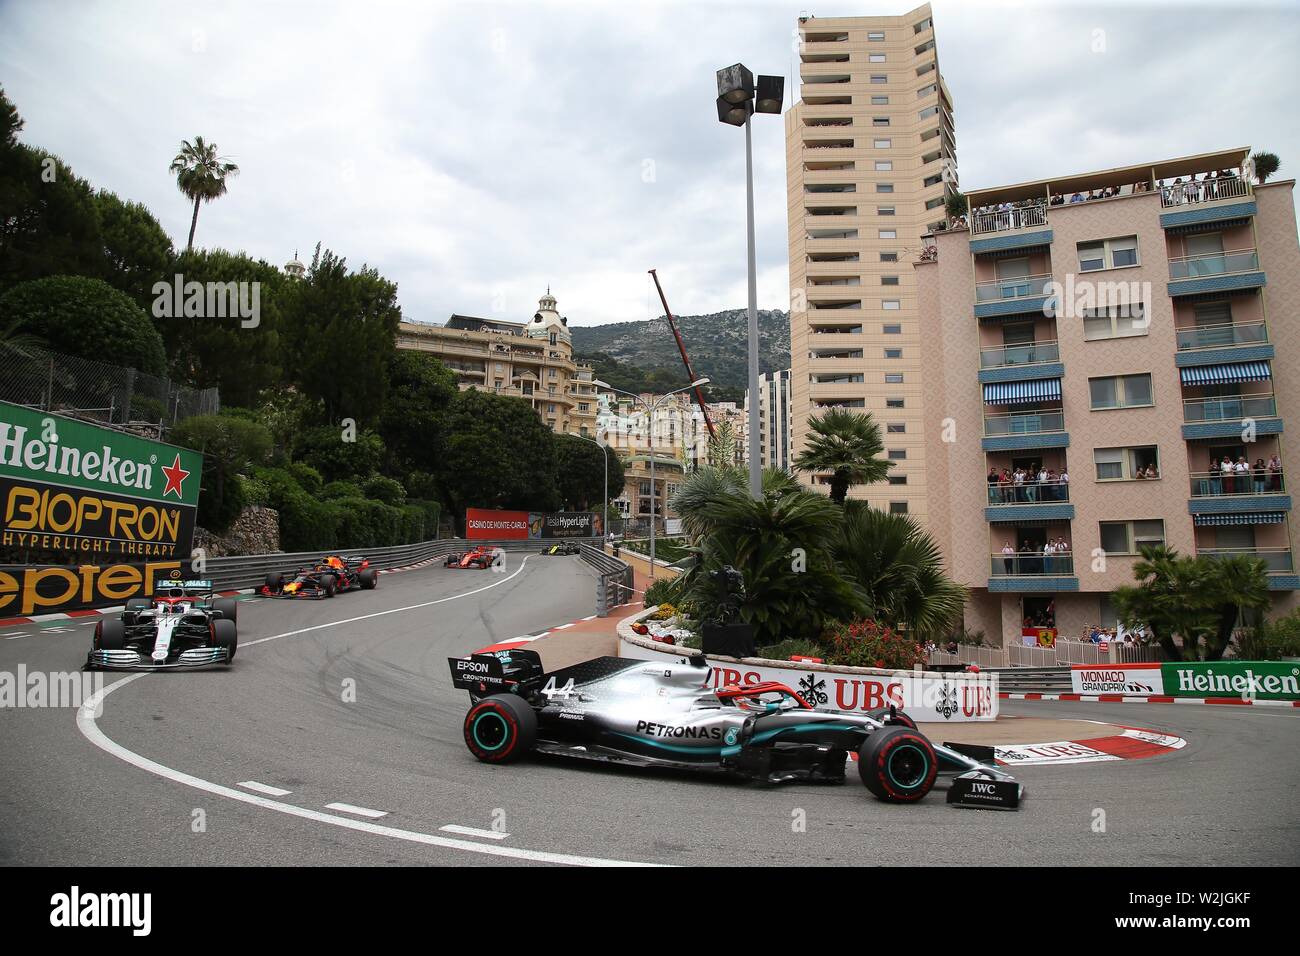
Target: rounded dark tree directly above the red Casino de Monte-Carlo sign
499	455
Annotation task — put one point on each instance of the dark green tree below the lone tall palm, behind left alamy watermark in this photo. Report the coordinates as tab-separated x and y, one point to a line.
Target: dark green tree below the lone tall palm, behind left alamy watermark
224	353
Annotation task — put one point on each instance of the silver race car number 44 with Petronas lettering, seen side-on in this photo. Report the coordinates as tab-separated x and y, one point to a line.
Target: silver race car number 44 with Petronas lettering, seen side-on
668	715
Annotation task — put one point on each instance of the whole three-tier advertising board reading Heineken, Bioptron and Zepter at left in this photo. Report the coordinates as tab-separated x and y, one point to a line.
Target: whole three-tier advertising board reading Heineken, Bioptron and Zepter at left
99	514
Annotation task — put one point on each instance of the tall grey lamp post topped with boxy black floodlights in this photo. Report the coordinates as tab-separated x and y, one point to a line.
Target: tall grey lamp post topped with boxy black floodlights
739	96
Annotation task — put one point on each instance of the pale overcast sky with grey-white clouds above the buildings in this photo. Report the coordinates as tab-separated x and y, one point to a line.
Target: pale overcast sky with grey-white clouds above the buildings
475	153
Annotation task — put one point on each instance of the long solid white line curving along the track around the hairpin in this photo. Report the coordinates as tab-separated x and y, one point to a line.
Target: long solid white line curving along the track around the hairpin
89	726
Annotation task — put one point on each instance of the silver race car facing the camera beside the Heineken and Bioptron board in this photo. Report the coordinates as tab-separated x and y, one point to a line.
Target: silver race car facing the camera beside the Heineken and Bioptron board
184	625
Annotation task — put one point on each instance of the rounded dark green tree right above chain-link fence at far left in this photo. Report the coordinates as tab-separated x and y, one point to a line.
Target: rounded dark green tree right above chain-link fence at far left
86	318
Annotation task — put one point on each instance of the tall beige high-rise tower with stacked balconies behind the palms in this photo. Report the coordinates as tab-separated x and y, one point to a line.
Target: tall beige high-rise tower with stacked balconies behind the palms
870	155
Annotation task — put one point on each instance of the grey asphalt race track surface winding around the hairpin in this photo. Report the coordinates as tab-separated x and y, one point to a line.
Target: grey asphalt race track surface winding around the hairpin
345	711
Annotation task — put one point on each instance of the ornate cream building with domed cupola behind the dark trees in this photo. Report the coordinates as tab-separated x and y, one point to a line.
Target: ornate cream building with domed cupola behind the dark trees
531	361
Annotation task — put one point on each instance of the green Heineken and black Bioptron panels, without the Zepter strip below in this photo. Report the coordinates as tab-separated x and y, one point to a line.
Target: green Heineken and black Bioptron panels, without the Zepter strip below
77	494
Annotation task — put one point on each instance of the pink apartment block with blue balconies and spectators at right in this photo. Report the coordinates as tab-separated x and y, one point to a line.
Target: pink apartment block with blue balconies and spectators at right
1128	330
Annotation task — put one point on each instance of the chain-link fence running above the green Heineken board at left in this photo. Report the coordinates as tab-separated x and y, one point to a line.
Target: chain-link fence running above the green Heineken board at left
97	392
